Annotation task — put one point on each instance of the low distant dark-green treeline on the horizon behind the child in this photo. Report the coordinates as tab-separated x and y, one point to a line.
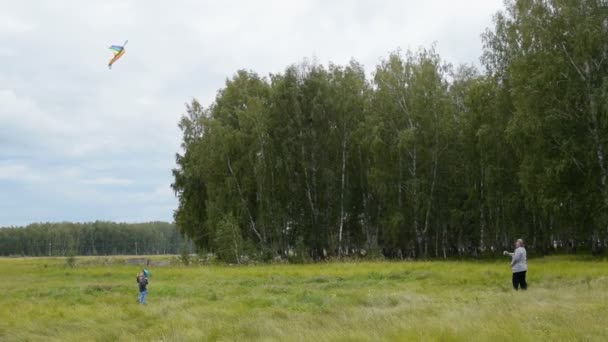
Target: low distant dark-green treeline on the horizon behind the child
94	238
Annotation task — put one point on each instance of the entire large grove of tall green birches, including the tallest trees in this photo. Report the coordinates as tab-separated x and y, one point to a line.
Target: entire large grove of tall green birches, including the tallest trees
416	158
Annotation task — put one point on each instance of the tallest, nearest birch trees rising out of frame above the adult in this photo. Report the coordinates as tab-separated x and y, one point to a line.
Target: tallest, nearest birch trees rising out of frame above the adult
549	55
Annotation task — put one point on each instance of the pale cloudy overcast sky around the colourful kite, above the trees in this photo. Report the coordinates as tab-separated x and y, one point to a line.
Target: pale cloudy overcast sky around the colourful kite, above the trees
79	142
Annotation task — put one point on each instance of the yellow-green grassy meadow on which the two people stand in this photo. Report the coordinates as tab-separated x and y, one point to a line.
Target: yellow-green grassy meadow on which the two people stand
43	299
